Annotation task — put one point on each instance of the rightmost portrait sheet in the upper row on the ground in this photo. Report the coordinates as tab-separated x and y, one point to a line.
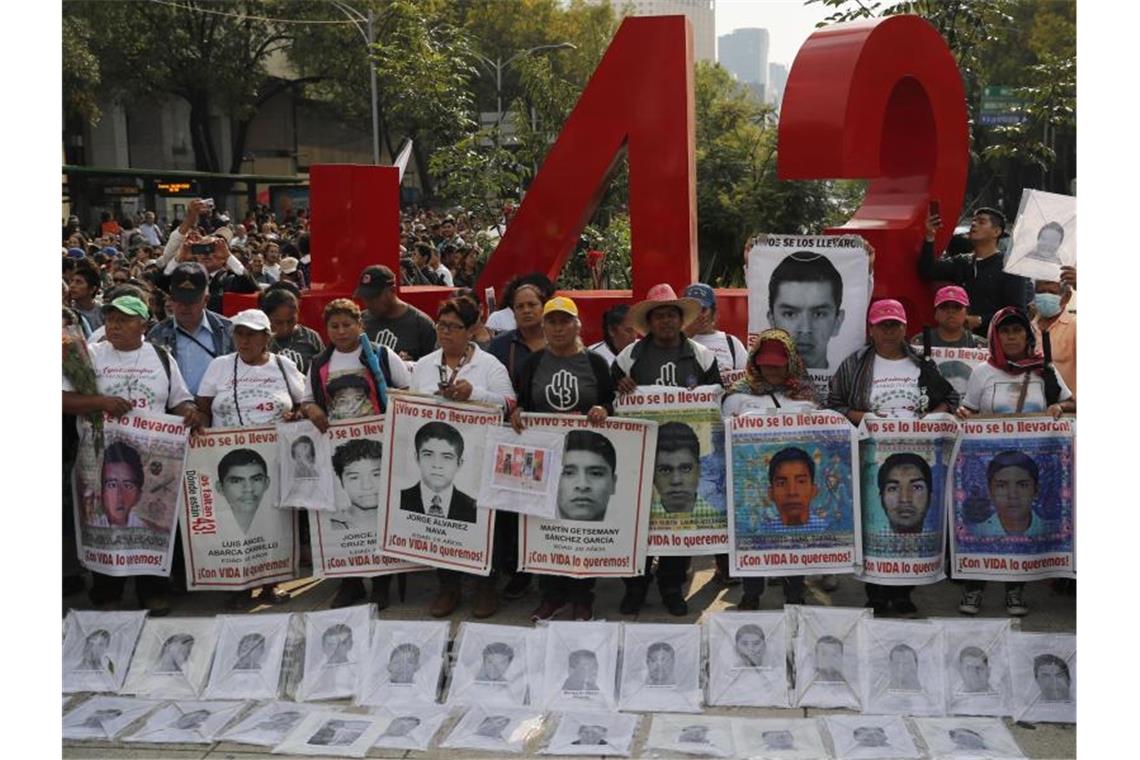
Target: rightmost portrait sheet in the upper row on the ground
1044	669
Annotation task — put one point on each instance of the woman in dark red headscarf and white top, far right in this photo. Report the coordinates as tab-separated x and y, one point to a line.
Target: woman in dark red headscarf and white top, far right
1015	381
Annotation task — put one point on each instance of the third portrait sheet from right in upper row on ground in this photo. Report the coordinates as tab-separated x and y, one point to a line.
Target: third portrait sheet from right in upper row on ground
903	661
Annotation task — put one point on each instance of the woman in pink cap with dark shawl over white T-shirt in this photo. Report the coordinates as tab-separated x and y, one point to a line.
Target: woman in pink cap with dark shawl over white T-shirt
887	379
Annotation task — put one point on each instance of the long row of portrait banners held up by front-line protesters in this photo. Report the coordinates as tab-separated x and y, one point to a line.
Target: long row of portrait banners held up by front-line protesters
785	494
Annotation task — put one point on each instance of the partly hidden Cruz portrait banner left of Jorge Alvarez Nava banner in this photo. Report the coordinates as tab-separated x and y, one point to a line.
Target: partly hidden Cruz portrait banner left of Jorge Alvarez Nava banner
346	541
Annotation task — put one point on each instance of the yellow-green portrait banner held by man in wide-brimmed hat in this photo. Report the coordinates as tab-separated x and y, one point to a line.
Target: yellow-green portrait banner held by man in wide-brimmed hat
689	514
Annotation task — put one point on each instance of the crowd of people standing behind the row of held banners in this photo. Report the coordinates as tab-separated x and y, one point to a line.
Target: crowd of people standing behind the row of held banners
149	298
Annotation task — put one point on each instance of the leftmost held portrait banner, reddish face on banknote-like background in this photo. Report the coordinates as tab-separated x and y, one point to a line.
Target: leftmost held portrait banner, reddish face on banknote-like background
126	496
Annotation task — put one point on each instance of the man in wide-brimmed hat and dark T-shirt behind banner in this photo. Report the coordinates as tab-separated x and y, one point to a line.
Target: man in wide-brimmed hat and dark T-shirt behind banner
664	357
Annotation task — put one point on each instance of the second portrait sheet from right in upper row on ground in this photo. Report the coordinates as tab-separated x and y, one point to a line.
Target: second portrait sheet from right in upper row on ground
978	667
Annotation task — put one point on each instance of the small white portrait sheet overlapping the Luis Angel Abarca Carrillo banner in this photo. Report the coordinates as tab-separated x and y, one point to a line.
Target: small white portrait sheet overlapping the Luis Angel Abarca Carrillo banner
306	480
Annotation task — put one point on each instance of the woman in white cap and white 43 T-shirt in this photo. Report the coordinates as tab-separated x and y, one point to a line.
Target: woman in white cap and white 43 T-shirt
253	388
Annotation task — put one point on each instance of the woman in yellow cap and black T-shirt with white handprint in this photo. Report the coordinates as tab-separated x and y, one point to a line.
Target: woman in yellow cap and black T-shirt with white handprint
565	379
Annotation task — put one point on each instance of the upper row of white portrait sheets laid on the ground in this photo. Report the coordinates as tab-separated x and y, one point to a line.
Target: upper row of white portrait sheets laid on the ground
796	658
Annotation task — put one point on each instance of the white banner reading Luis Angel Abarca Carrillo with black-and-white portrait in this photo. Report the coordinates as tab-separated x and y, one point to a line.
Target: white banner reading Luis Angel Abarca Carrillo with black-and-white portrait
233	534
